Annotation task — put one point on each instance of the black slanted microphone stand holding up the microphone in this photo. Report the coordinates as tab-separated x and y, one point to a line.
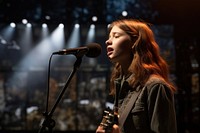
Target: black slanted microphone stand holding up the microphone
47	122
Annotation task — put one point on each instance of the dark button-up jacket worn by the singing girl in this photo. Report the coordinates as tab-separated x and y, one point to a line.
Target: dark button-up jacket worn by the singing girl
153	111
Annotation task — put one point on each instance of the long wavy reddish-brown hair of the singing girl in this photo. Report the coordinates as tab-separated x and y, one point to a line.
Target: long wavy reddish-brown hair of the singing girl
147	60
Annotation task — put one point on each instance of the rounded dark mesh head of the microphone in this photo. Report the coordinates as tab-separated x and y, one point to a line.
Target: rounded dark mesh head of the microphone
94	50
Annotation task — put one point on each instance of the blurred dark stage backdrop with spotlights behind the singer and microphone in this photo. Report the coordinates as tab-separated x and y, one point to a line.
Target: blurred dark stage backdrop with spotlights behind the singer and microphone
31	30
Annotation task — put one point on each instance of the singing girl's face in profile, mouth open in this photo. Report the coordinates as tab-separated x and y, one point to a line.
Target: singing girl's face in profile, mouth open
119	46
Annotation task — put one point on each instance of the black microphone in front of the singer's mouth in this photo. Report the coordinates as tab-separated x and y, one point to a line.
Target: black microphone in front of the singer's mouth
91	50
